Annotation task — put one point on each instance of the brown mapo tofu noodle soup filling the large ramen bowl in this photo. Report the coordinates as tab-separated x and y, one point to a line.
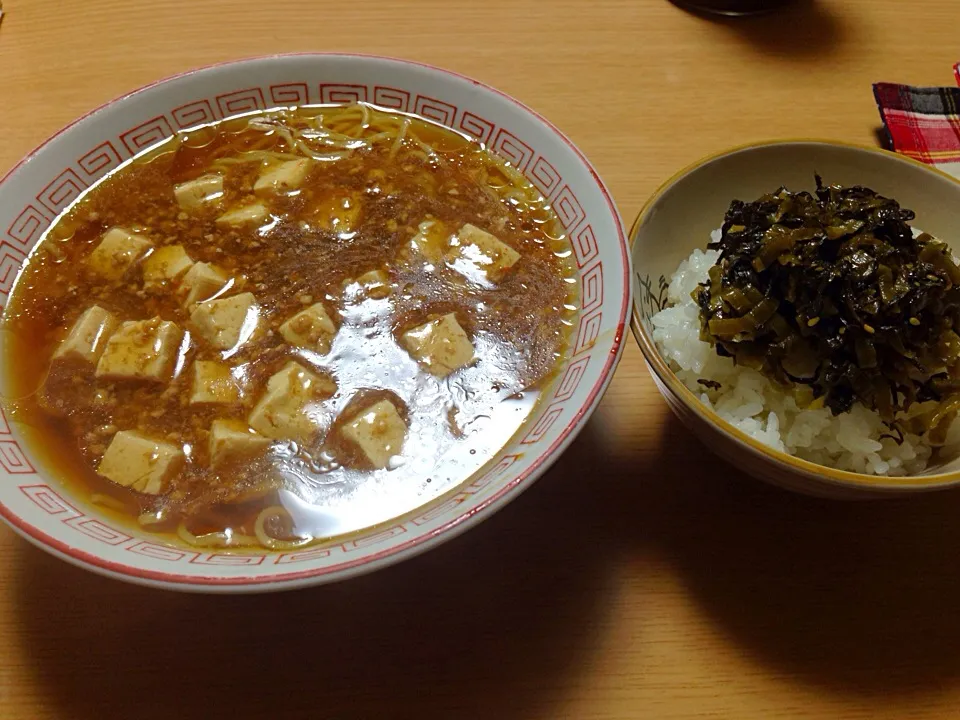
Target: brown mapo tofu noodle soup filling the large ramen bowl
289	326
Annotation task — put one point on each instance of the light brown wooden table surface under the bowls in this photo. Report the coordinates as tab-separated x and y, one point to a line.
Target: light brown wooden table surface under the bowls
659	584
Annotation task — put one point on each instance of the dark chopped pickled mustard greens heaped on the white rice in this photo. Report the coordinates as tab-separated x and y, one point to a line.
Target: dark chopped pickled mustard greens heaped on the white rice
833	293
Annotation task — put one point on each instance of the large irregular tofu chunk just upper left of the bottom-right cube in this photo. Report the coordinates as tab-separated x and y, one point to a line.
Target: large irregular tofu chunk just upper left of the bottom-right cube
282	413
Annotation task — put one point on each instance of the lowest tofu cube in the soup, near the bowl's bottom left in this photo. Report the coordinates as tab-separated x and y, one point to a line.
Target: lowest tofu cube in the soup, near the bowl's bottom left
139	463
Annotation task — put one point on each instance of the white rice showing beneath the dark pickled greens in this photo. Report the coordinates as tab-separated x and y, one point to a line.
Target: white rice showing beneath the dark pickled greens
857	440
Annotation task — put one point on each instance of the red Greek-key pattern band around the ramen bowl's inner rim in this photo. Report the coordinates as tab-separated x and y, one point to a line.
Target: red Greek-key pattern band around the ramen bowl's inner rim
32	219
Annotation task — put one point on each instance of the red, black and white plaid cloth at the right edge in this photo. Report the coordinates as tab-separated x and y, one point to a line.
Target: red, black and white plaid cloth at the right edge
923	122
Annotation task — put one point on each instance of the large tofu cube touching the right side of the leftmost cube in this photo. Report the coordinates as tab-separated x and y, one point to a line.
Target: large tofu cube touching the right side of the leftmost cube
141	349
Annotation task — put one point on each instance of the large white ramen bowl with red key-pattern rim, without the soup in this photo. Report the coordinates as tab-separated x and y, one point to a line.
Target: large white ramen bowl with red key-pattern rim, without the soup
46	511
